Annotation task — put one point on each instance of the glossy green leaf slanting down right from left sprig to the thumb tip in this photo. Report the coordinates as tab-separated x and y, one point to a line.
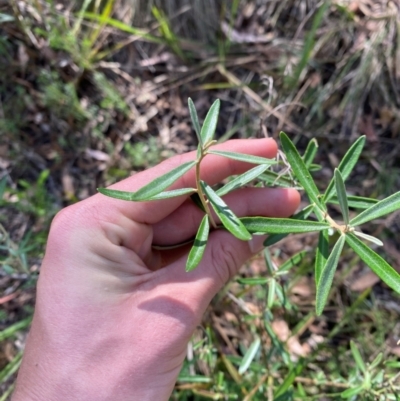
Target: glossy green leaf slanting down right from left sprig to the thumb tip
227	217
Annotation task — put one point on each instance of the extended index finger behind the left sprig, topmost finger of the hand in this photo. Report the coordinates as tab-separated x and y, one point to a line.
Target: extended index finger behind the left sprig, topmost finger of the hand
213	169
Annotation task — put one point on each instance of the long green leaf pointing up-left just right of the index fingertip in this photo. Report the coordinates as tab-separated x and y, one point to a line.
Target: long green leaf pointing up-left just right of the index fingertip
301	171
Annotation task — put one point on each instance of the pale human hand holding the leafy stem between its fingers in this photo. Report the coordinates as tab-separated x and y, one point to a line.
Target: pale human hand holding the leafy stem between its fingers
114	315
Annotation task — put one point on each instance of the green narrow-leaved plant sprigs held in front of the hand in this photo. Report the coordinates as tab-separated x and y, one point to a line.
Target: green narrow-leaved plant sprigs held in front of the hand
315	217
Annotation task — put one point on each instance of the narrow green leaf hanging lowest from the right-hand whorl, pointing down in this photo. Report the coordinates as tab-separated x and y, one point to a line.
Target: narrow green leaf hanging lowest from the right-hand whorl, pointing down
326	279
